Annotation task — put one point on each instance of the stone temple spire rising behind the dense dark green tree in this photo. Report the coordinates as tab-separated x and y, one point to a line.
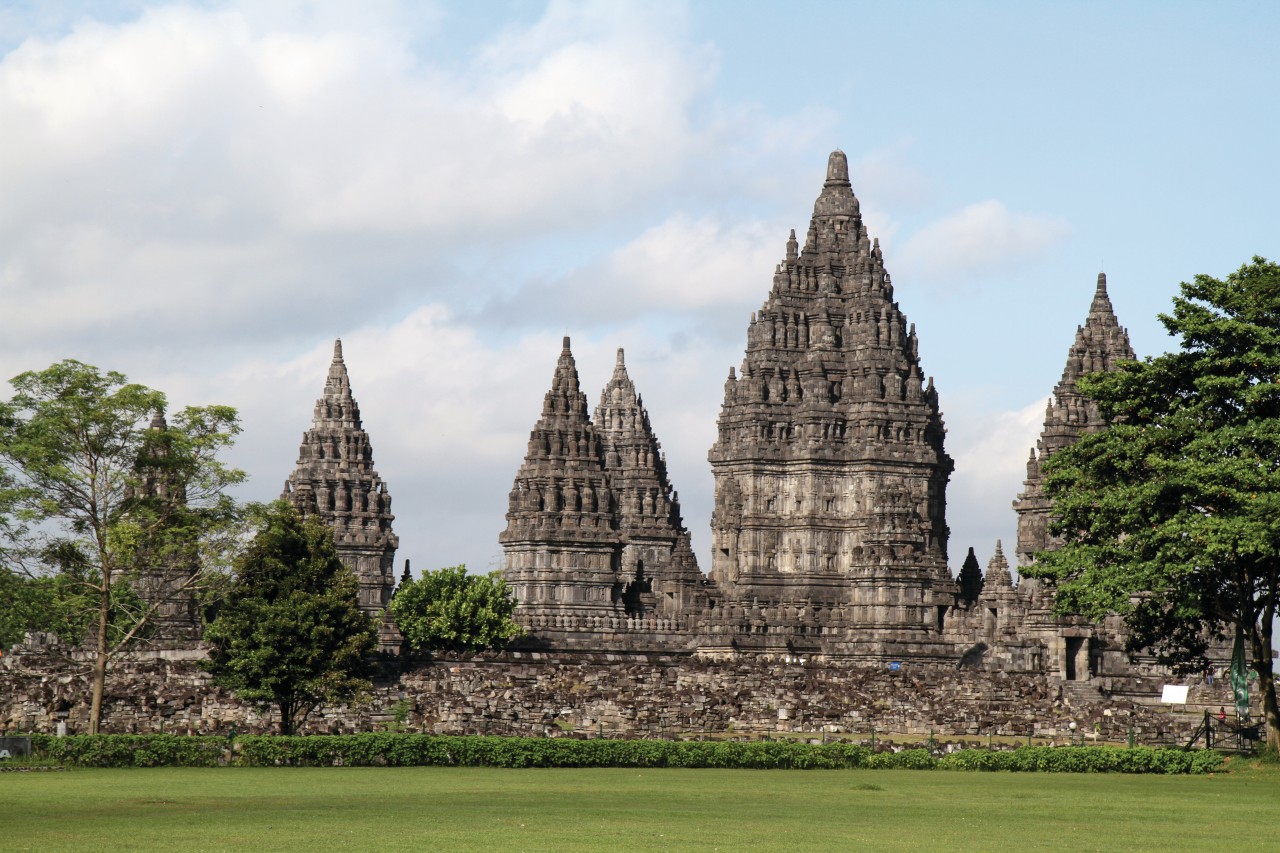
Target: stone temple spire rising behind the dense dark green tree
336	480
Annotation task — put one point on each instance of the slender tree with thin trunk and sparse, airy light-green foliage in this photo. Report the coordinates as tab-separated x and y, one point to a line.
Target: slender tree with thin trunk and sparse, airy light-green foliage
83	504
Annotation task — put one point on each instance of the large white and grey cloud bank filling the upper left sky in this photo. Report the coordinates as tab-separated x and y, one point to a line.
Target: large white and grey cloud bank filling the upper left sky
241	167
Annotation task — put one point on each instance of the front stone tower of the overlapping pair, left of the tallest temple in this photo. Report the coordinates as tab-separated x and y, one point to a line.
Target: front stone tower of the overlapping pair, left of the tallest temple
561	541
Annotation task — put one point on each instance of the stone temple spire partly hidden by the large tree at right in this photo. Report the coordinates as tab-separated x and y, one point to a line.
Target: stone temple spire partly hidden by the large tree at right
1100	345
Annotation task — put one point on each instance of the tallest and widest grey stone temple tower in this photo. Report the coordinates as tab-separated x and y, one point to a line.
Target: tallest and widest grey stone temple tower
830	468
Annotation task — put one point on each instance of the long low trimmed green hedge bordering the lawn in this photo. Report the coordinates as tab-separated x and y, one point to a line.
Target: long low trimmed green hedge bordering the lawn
417	750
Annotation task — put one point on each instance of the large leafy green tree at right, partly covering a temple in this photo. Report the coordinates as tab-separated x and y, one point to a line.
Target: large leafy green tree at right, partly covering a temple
1172	514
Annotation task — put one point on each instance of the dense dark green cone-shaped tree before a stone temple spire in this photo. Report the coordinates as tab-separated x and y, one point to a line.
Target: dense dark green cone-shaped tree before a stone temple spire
290	631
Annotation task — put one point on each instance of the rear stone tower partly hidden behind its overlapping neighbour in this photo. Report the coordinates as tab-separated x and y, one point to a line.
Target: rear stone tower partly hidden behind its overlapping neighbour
660	572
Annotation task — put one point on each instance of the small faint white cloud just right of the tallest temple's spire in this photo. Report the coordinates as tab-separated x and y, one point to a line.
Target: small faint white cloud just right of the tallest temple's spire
980	239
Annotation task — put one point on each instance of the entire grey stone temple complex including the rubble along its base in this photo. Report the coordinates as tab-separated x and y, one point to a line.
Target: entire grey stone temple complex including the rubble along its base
829	574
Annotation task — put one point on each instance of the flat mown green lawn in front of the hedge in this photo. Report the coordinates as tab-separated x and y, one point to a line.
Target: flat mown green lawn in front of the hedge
424	809
